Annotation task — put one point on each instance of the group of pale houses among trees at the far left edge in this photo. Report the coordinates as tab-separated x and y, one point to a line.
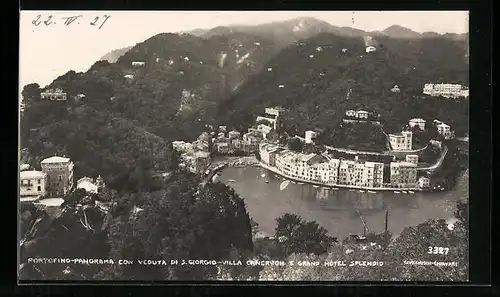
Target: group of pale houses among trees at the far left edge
54	180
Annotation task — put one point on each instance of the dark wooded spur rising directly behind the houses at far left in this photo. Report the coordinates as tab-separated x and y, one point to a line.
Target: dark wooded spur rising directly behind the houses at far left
100	143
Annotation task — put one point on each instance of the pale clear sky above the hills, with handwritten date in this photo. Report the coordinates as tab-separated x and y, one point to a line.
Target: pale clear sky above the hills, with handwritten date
47	51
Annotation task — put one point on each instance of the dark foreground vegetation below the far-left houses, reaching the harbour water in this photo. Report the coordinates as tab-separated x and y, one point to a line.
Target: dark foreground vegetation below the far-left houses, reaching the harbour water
177	222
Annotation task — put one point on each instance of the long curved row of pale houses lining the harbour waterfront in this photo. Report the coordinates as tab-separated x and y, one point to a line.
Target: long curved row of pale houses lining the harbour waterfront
322	169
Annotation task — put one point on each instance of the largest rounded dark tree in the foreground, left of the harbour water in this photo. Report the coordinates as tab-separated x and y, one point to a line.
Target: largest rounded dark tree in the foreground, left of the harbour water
182	222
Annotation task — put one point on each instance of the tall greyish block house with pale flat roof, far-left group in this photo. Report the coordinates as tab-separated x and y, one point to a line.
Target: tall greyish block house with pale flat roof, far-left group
60	173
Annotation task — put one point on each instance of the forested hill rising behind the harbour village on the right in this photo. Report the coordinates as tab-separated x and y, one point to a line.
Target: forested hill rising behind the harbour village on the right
312	79
